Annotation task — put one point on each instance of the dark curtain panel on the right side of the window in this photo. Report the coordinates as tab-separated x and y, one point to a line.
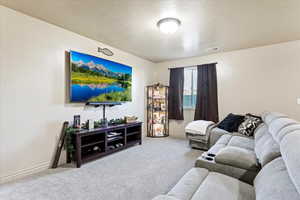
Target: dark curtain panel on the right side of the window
207	93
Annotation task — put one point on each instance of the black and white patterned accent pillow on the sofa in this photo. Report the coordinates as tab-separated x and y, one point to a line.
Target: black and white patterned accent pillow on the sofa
249	125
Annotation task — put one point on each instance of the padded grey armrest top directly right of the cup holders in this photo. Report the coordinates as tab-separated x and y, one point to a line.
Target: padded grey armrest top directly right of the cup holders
237	157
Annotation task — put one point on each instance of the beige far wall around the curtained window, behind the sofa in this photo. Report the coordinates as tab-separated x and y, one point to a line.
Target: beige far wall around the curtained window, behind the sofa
251	80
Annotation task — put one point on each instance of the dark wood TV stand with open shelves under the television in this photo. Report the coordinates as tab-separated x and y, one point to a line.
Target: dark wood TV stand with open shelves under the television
92	144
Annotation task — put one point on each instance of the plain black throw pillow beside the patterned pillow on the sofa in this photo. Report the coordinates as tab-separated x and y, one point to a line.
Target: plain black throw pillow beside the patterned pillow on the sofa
231	123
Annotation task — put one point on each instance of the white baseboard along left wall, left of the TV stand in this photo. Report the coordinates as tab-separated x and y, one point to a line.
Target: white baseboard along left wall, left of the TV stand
24	172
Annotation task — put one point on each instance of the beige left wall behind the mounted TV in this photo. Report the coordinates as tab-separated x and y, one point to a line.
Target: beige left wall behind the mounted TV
33	90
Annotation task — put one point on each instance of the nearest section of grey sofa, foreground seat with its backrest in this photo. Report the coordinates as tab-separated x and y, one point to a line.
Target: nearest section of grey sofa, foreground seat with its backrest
279	179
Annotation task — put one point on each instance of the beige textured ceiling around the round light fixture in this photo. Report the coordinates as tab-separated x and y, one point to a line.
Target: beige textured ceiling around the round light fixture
130	25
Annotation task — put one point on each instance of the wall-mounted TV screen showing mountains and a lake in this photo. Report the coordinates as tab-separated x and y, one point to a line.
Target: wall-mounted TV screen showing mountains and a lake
95	79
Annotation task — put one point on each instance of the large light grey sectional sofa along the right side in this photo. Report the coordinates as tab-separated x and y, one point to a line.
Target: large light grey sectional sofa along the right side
272	158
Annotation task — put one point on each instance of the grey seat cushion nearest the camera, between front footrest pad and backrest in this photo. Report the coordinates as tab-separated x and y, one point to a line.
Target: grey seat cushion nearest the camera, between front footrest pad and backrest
218	186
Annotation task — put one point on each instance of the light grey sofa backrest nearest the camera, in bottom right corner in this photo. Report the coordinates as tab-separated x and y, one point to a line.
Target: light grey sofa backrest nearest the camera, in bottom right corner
280	178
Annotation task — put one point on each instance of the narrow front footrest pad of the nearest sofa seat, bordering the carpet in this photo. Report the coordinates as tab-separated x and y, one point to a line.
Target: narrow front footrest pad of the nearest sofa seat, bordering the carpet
189	184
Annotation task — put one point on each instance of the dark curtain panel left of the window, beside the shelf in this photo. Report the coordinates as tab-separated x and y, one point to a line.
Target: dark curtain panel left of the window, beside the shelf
176	93
